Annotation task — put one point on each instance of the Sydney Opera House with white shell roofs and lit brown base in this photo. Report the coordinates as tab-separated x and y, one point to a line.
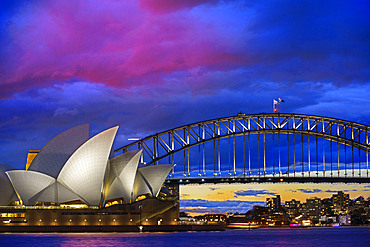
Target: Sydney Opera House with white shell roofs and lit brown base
75	180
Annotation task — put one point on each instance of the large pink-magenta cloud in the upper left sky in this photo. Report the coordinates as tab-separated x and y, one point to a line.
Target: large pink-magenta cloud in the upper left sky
113	42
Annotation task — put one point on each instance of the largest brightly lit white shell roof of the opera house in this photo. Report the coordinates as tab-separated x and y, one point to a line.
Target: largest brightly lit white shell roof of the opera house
84	171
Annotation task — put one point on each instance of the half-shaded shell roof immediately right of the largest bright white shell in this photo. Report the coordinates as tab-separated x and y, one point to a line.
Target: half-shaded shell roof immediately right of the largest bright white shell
122	175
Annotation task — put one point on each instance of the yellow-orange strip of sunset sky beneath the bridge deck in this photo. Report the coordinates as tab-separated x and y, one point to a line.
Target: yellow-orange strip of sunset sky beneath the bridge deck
222	199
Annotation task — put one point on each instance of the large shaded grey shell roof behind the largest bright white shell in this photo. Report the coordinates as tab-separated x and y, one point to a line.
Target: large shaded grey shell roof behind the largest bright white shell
52	157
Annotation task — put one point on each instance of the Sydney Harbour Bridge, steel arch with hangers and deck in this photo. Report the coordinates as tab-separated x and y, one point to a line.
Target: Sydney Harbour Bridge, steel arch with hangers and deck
261	148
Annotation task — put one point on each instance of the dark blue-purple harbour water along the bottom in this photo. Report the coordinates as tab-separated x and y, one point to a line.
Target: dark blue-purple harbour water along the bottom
341	236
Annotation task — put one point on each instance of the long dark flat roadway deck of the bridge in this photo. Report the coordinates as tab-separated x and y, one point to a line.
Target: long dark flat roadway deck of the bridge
312	179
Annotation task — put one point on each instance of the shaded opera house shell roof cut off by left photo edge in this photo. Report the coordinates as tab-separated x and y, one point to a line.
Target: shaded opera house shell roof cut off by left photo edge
7	193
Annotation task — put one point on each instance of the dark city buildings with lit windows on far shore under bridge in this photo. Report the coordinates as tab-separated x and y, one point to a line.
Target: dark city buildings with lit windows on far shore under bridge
313	208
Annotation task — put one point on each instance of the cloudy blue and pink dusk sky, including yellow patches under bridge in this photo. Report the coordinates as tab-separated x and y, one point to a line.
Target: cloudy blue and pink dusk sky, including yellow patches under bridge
152	65
